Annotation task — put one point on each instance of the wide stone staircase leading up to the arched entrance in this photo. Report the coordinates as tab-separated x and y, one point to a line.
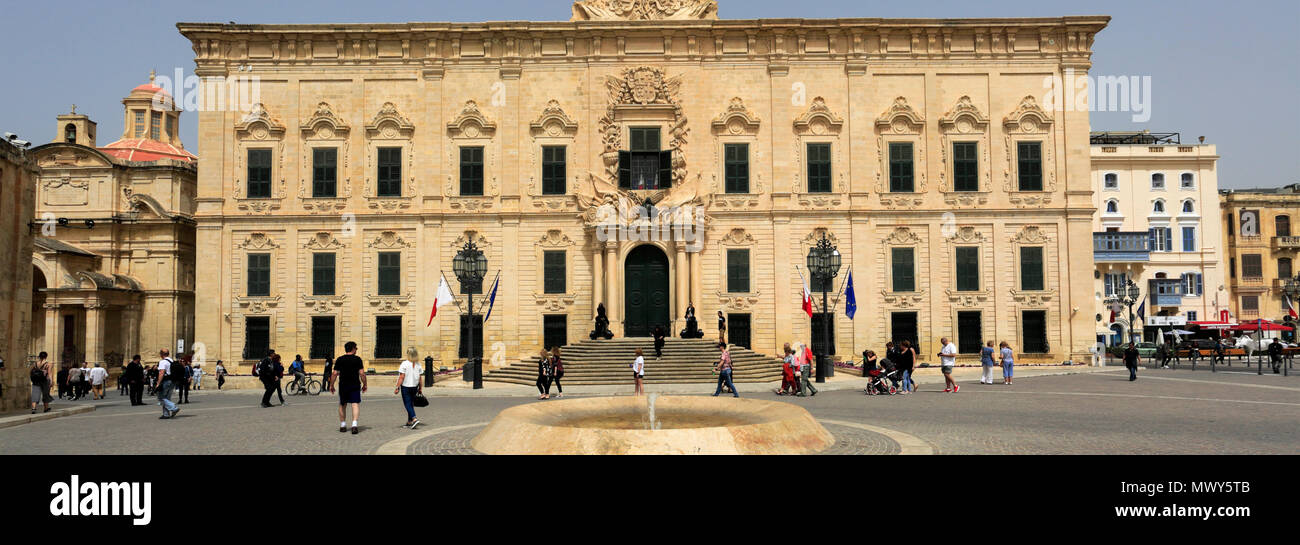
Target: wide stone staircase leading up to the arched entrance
608	364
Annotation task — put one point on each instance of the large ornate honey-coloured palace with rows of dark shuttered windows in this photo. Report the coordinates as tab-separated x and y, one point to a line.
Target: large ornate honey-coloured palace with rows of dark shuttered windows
644	155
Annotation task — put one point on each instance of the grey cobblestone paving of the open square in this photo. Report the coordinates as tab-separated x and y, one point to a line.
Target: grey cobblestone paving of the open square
1100	413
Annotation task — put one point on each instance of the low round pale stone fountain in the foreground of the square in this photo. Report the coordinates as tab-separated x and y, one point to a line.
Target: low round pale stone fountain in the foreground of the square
655	425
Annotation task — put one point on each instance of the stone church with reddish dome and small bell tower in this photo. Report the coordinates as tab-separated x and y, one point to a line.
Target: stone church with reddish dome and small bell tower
115	249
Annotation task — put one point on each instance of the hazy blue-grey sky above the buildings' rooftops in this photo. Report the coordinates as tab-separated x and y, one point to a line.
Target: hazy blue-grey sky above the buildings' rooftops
1228	71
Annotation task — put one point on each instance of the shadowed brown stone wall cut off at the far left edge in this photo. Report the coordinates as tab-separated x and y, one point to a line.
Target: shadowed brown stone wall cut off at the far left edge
18	194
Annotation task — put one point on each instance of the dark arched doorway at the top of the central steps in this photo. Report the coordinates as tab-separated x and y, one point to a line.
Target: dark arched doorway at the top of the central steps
645	292
